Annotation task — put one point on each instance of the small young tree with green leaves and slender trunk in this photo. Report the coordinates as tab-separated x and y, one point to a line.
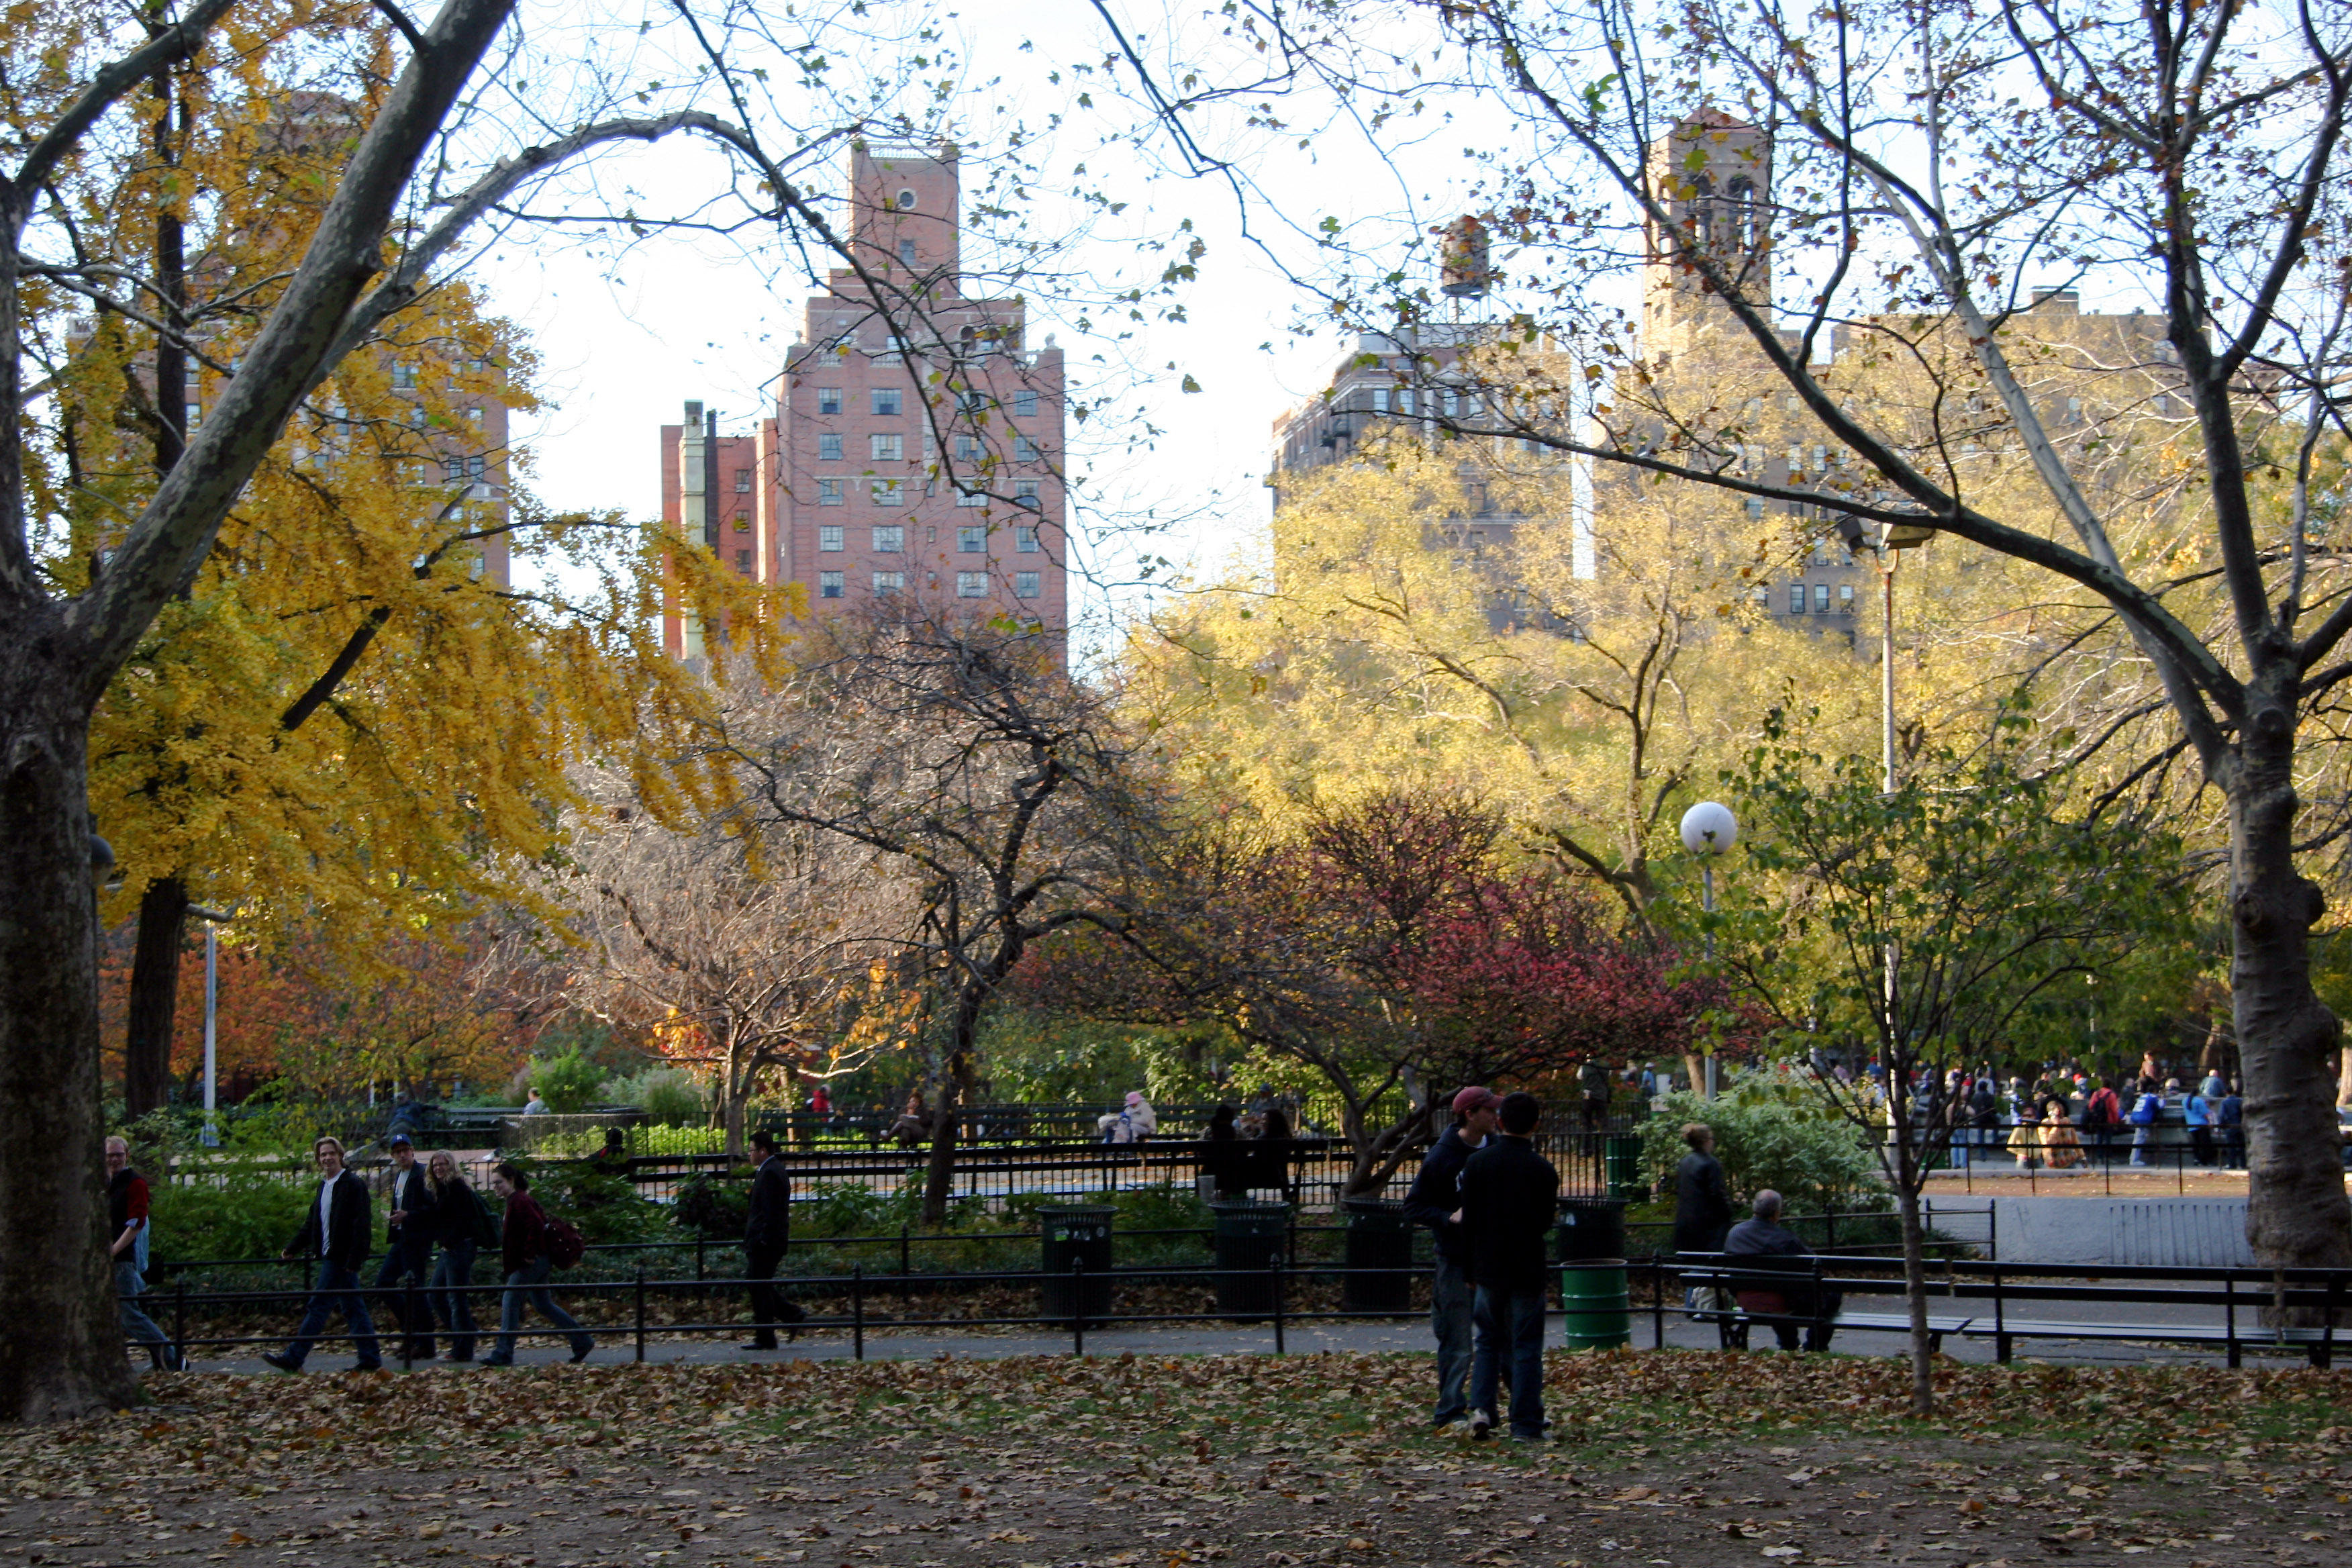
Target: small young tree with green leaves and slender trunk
1920	923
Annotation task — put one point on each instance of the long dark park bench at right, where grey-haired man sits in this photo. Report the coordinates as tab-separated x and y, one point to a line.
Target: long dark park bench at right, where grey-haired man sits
1982	1301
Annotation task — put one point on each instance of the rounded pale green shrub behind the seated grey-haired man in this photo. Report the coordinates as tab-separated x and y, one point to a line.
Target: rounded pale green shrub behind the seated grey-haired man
1772	1130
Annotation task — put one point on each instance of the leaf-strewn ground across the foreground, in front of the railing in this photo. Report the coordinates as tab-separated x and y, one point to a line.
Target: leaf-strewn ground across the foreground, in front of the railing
1156	1463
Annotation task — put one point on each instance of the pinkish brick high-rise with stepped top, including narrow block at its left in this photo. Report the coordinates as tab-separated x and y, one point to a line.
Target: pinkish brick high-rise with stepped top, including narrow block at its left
916	450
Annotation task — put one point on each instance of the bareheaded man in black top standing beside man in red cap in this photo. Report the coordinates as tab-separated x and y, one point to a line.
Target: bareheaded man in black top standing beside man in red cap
1511	1198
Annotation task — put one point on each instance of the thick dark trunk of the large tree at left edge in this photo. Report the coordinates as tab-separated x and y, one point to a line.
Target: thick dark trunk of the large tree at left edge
62	1355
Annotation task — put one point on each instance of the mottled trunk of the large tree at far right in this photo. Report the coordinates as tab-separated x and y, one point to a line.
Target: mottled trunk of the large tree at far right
2287	1040
